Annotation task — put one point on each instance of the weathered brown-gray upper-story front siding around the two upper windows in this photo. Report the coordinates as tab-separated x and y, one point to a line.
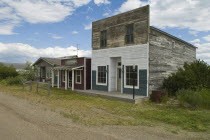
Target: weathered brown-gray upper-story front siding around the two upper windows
116	28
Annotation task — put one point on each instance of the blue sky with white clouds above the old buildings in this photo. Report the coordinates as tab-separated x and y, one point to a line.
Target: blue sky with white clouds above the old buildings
30	29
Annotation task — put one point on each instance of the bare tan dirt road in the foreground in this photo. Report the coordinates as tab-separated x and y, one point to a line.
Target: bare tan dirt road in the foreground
24	120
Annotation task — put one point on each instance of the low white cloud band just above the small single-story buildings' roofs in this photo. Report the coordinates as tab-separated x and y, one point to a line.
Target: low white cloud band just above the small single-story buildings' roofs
18	52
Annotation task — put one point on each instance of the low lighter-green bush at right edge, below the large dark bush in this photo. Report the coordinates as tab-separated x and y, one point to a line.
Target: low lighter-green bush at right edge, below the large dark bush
194	99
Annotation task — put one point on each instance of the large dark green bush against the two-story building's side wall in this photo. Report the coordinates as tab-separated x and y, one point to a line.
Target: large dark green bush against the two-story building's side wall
194	76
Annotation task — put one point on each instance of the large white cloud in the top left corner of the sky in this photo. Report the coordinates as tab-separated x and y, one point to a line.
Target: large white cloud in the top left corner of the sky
14	12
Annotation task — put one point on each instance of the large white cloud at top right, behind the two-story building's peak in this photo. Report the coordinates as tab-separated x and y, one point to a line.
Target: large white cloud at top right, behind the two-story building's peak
192	14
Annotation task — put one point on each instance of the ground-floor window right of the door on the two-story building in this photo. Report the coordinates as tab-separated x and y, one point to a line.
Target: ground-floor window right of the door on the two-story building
131	76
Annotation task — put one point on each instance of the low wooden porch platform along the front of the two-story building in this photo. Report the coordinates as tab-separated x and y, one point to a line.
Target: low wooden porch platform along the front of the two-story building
114	96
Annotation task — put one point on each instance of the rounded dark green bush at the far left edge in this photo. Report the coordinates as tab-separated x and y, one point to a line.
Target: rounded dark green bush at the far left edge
6	72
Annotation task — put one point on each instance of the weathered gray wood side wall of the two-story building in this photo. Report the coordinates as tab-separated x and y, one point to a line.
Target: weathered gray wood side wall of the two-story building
165	59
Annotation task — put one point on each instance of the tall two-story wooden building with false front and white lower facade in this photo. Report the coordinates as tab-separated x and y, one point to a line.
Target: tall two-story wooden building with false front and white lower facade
127	51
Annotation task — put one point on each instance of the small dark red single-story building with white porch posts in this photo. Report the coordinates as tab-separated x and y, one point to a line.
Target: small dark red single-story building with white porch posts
73	73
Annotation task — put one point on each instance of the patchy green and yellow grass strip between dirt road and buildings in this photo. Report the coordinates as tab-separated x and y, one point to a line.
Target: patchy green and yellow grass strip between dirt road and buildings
98	111
